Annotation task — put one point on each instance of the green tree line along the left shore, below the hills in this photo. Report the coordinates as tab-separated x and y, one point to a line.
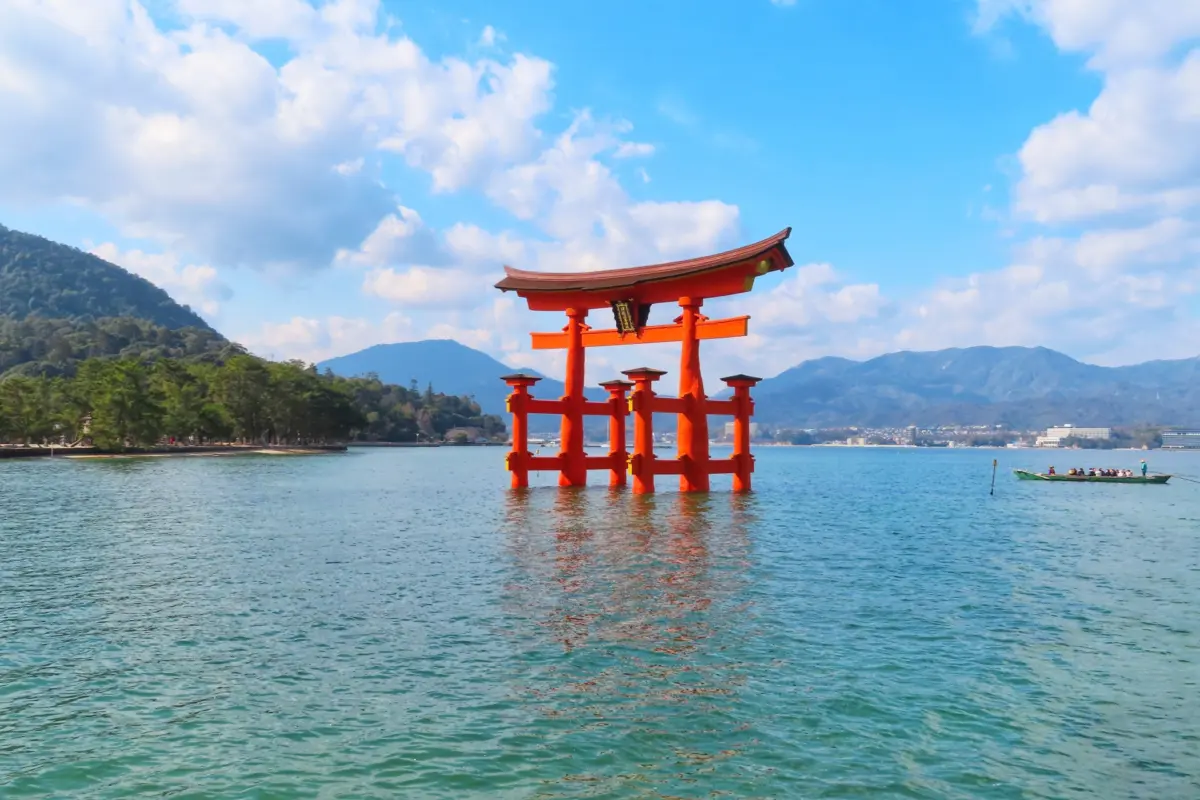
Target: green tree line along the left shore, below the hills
121	404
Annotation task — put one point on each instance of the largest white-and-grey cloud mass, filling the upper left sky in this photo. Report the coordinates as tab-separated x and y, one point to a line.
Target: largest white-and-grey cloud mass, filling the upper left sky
191	139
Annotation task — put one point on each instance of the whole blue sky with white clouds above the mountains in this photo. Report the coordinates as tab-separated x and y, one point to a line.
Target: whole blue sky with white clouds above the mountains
315	177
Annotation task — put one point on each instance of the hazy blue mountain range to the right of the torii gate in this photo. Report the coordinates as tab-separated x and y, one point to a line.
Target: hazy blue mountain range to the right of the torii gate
1022	388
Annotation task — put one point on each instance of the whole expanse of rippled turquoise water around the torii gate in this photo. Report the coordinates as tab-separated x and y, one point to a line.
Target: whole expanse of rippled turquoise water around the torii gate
395	624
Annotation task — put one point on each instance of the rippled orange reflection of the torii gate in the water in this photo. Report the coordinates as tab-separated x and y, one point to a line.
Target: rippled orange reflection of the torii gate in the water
635	637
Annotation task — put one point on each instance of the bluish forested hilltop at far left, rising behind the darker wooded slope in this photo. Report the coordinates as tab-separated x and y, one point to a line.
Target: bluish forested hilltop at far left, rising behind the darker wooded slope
45	279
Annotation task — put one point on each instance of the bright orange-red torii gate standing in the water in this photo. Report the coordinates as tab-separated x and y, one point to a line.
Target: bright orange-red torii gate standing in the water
631	293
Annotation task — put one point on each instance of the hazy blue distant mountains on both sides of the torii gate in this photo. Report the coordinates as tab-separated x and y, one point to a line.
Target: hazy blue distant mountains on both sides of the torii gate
1022	388
